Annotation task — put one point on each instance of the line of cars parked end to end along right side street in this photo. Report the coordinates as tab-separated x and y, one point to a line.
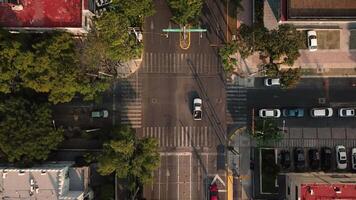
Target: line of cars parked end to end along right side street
299	112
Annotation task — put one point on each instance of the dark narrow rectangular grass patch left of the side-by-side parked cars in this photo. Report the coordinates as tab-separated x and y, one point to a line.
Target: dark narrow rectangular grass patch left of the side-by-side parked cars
268	179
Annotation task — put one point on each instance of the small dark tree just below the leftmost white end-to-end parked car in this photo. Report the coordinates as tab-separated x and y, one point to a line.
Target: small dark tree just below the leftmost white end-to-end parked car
267	130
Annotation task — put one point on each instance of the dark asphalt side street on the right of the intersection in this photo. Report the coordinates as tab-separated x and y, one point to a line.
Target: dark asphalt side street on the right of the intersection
309	93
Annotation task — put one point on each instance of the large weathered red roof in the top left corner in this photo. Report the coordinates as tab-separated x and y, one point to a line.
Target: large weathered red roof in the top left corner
42	14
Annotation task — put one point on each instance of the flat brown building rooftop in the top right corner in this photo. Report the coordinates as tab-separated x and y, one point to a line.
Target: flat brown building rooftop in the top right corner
318	9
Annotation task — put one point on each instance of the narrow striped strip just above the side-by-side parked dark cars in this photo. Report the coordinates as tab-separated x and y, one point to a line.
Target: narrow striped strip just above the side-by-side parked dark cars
314	142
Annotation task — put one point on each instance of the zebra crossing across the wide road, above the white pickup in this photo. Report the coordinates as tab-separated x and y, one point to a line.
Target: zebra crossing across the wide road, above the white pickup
186	63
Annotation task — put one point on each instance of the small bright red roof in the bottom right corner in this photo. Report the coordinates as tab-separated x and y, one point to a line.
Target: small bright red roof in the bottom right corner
328	191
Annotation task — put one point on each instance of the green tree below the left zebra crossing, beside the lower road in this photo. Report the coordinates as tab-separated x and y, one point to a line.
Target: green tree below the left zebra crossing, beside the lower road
129	157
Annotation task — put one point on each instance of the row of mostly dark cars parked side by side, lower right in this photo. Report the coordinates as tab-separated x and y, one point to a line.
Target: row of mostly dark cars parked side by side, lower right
318	160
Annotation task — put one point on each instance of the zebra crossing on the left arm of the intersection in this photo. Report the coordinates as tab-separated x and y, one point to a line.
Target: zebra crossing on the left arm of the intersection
130	102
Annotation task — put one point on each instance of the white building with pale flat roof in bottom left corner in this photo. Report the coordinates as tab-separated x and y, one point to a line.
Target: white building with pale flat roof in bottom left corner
55	181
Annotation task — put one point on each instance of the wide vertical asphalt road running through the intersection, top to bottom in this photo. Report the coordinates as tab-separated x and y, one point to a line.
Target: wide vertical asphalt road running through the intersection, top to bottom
170	79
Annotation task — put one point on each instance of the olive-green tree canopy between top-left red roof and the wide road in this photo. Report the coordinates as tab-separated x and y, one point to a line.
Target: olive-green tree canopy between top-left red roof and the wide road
111	40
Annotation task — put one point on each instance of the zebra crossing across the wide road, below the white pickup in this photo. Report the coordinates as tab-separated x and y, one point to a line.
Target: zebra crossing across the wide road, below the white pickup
180	136
